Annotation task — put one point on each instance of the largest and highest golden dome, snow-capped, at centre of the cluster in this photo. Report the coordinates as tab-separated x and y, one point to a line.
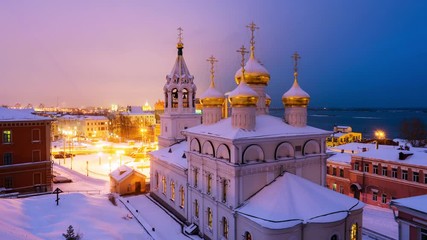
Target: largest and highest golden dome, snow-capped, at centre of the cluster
255	73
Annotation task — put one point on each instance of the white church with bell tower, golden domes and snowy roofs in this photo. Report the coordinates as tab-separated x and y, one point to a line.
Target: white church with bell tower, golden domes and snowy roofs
250	175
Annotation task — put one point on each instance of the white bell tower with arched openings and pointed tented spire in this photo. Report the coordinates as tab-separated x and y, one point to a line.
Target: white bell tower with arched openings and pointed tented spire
179	92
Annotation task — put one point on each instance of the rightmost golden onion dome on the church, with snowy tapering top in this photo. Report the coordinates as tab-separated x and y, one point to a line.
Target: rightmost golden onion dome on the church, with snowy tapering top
295	96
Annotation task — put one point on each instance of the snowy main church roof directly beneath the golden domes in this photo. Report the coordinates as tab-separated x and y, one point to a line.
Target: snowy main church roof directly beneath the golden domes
266	126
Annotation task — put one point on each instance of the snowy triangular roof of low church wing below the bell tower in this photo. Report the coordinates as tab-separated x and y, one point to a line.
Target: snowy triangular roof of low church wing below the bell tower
173	154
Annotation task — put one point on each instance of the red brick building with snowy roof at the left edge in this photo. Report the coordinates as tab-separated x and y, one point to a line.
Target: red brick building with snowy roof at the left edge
25	164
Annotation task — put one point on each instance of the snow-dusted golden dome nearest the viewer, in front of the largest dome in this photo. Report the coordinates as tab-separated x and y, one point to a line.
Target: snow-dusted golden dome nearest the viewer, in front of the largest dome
243	96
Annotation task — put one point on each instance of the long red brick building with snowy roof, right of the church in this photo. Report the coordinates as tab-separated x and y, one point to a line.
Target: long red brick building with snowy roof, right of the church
377	175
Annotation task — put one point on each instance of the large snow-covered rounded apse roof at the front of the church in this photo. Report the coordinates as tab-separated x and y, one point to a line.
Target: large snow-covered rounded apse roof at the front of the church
284	203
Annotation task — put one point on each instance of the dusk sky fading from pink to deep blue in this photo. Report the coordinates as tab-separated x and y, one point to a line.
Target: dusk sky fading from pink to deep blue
99	52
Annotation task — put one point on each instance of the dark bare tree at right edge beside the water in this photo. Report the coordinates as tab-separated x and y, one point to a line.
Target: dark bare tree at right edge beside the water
414	130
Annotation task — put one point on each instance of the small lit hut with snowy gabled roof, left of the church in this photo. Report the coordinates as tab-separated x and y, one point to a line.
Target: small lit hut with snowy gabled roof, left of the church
125	180
